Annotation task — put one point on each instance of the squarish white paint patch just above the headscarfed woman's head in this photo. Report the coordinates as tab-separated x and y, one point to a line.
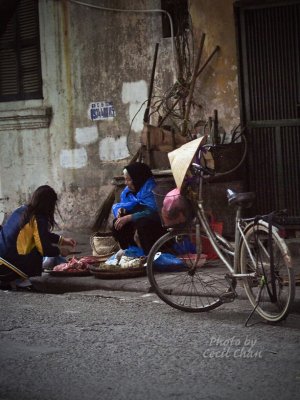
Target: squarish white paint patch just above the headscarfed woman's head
111	149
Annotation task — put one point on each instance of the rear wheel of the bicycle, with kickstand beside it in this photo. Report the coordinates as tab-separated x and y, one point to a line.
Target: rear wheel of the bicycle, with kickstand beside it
258	288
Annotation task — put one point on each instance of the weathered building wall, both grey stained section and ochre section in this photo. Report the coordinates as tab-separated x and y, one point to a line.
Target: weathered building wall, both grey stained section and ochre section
91	56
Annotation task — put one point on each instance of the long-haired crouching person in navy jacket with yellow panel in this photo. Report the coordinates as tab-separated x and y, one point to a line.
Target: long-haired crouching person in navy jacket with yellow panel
26	237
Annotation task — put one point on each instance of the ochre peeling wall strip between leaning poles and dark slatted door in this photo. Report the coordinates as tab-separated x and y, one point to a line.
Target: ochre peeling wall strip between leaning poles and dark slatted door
218	84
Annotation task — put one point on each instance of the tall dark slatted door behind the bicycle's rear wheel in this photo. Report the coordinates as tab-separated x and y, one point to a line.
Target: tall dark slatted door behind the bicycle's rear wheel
269	70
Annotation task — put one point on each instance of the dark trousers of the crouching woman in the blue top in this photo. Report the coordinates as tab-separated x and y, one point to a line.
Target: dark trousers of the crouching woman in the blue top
149	231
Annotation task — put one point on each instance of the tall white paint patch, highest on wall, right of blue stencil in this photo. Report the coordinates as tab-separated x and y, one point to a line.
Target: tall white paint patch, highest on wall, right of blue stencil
135	93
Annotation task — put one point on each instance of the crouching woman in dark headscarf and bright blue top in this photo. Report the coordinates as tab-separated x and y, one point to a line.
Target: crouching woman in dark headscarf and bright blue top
137	210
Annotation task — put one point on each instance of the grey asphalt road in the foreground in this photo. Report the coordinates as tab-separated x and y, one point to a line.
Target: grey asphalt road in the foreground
115	345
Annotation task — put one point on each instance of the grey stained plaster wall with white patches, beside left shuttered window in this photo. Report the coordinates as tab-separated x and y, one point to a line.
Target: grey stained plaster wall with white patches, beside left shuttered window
89	56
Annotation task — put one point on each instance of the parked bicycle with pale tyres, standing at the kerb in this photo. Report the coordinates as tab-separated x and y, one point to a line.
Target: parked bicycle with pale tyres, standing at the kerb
259	258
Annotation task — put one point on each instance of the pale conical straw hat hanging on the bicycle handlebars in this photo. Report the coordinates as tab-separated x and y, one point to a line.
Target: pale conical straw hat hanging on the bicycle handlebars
181	158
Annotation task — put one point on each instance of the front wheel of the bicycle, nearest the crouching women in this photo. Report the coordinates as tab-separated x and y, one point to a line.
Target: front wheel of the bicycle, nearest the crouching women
181	278
